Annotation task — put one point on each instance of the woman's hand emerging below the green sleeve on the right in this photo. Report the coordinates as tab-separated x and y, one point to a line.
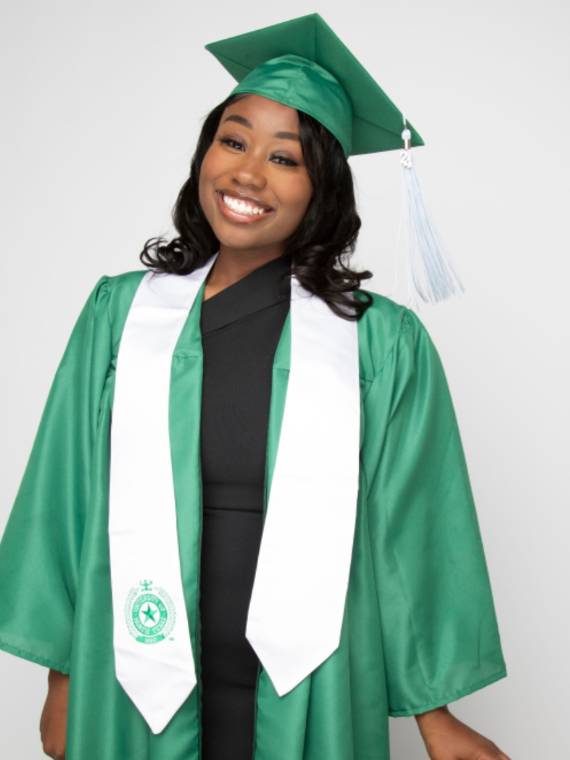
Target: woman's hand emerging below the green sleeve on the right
447	738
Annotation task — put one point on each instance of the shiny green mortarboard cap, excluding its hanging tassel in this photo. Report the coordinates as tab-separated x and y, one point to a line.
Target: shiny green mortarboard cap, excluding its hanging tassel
303	64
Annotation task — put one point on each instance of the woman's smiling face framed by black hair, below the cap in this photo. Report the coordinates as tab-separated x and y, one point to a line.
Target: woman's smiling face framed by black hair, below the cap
254	187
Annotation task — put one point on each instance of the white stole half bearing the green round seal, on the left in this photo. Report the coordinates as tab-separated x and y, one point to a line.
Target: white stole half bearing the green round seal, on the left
143	541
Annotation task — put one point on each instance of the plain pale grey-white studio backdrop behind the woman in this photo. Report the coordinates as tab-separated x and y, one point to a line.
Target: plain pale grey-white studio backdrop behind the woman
101	107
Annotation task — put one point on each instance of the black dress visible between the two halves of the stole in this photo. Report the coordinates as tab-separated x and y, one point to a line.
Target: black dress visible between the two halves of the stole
240	328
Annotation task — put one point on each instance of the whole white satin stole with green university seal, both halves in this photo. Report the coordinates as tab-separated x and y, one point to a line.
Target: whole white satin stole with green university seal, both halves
297	604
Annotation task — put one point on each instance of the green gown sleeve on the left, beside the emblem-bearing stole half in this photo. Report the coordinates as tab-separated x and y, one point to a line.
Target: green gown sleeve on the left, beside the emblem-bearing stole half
41	543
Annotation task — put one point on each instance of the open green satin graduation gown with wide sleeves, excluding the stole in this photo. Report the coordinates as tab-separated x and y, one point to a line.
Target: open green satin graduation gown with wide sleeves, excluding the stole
419	627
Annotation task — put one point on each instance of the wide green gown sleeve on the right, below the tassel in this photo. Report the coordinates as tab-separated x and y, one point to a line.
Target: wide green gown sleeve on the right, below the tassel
438	621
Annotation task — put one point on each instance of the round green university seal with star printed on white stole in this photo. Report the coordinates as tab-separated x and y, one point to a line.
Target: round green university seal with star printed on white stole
149	612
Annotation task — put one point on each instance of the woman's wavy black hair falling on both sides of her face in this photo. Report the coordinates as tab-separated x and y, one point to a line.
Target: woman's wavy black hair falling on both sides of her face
325	237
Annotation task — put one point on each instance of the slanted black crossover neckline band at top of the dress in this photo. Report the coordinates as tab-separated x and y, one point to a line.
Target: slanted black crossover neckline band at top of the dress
265	286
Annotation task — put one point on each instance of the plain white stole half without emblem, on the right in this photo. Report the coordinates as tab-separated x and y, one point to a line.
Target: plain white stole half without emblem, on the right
296	608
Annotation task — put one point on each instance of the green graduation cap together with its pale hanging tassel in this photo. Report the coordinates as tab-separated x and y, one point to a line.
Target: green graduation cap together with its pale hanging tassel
303	64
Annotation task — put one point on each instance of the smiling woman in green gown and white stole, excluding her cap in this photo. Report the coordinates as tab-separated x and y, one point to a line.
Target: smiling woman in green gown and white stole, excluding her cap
270	193
